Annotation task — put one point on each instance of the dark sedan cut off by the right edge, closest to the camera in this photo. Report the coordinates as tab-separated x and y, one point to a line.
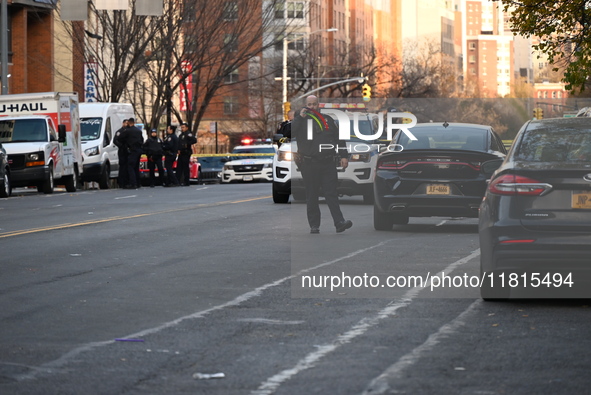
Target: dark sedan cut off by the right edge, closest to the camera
535	220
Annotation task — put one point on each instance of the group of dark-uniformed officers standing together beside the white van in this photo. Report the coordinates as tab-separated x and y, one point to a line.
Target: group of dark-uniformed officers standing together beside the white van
130	141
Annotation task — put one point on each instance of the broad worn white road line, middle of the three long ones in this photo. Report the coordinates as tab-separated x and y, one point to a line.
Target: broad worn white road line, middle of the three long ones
273	383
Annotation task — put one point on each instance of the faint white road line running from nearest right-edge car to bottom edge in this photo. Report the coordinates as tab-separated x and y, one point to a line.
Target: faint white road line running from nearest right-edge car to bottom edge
380	385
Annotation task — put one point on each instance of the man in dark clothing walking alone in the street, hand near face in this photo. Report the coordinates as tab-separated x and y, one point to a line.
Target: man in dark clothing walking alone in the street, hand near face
317	163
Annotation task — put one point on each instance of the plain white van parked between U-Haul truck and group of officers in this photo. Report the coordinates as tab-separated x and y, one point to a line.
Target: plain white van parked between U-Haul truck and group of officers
98	124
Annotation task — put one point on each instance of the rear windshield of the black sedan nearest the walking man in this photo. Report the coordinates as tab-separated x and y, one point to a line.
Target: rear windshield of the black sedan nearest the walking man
439	137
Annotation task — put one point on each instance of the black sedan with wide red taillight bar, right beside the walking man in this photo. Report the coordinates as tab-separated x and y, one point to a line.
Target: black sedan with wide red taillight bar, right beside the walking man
438	174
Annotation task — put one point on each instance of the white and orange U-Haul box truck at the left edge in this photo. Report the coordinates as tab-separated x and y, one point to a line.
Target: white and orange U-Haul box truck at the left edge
41	135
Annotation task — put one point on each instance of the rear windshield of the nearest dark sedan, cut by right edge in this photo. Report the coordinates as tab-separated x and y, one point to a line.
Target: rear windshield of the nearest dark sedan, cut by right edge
555	143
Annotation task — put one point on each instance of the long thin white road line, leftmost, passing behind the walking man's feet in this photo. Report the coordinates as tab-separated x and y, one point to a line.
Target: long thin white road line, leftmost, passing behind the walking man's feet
49	367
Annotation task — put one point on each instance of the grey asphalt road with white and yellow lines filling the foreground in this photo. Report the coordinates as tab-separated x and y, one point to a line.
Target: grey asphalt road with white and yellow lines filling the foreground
149	291
